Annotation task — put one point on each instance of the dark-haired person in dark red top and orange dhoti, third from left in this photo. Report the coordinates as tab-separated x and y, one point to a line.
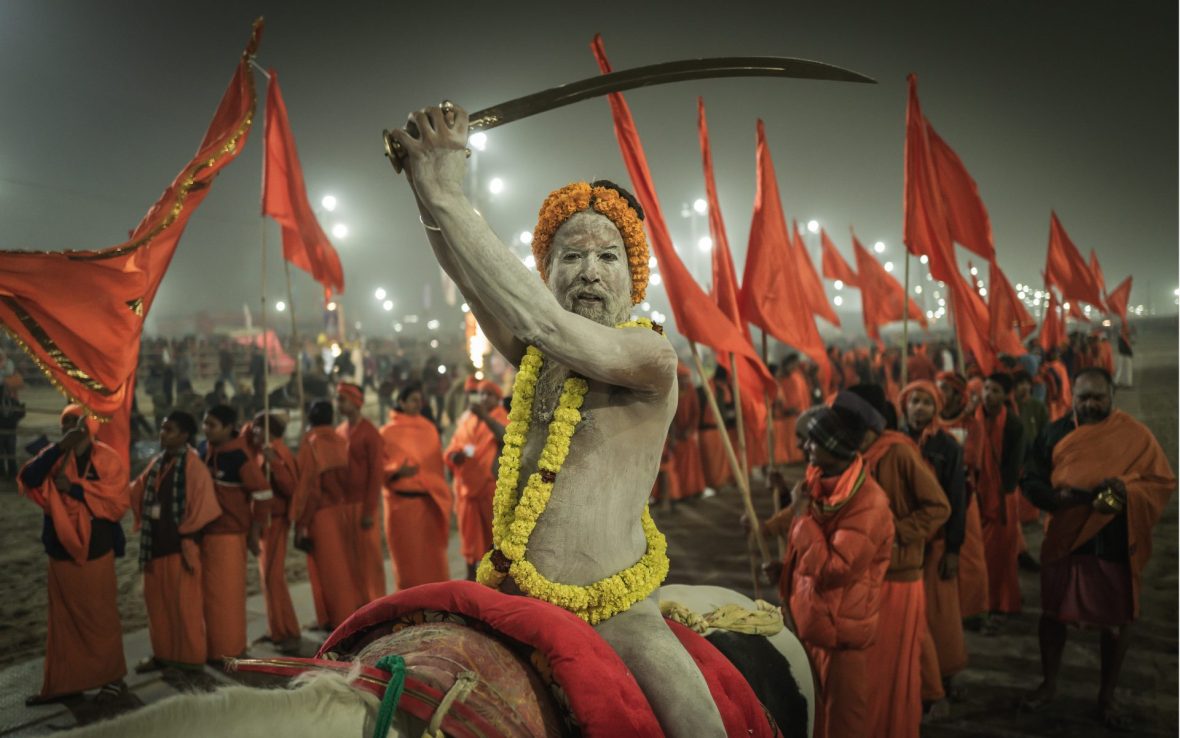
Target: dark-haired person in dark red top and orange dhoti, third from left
245	498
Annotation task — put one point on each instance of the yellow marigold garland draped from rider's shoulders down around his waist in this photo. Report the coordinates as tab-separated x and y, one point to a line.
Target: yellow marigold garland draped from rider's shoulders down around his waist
515	518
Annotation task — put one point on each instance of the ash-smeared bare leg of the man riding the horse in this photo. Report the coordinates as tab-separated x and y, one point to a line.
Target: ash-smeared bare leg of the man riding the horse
667	675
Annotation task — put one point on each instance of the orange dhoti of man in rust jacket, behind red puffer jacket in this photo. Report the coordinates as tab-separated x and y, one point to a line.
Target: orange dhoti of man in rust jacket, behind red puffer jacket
895	702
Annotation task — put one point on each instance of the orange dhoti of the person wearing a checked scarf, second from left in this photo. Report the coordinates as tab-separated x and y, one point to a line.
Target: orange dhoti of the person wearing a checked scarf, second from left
176	621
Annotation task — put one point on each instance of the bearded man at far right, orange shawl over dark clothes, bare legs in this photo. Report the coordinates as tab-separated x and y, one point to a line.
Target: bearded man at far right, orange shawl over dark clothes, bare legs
1106	482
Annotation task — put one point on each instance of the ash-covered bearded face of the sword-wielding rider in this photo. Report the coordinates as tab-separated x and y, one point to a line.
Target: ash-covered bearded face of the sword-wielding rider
588	270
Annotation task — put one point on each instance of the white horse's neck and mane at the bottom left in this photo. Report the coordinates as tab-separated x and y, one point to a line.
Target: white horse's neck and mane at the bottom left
323	707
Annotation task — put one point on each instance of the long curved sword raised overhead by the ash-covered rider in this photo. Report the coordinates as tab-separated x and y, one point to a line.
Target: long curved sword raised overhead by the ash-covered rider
641	77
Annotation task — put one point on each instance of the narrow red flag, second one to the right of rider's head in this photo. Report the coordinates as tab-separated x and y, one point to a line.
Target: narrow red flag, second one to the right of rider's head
725	289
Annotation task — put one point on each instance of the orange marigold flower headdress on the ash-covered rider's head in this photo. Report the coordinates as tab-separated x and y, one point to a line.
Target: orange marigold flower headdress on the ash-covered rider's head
606	199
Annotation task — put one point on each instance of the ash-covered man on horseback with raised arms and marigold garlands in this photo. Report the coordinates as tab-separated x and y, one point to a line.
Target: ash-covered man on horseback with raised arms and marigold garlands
592	408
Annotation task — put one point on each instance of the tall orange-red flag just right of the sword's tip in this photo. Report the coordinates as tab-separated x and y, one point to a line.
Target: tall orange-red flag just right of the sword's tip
938	214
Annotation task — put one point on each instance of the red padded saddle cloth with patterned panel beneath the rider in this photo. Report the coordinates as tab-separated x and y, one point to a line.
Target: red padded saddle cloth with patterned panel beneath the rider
536	652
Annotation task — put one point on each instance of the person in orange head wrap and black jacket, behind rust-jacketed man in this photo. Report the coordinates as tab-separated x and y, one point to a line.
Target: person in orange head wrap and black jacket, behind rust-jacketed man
945	651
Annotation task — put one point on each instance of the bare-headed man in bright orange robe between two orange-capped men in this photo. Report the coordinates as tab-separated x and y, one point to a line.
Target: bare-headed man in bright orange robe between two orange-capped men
417	497
